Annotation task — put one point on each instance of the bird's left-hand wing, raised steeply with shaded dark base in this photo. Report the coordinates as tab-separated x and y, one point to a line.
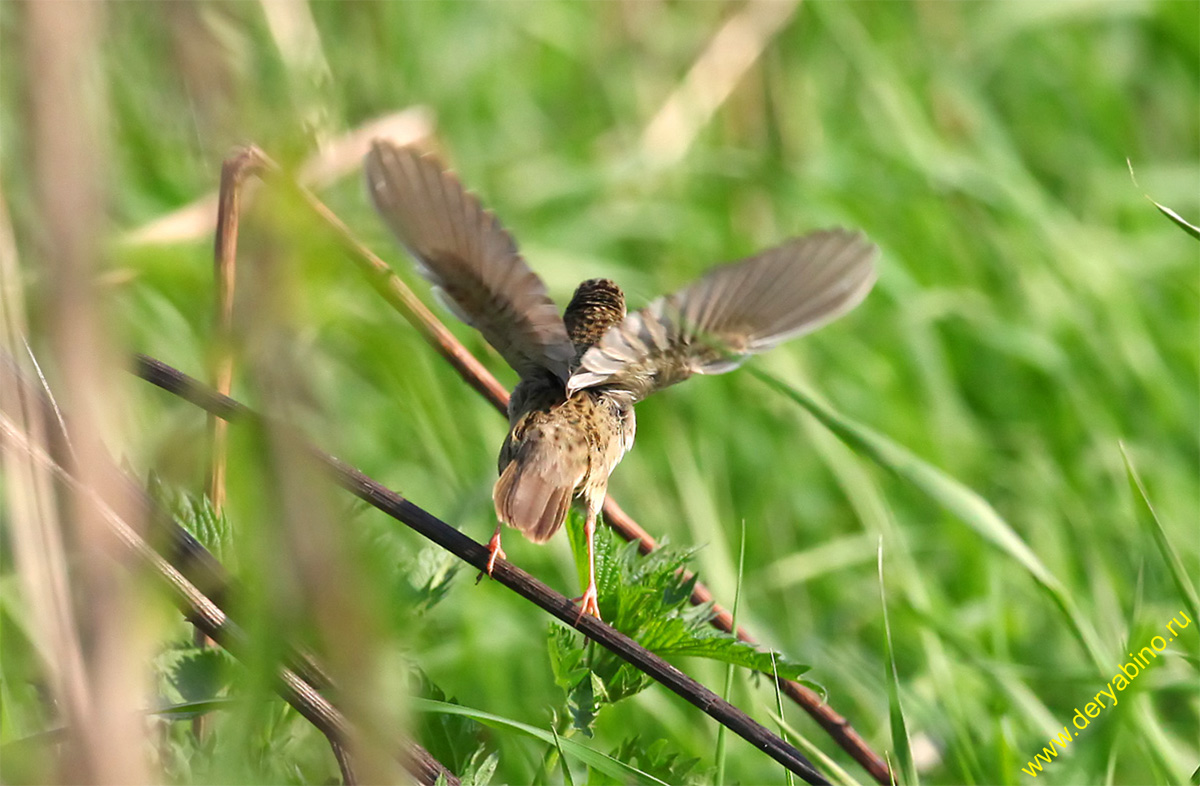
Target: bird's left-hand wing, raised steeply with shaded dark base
470	257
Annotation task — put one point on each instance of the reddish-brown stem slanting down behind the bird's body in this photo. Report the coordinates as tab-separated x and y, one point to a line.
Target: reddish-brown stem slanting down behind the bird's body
386	281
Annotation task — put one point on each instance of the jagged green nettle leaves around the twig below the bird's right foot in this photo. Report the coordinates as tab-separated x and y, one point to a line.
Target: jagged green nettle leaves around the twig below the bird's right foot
649	599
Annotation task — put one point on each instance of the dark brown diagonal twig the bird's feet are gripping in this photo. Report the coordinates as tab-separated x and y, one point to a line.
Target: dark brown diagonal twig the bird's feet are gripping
505	573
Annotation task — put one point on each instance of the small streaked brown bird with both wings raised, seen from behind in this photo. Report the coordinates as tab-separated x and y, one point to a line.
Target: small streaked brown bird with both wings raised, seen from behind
572	416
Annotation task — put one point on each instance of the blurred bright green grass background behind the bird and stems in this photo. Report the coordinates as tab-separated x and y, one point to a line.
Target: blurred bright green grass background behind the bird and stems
1034	310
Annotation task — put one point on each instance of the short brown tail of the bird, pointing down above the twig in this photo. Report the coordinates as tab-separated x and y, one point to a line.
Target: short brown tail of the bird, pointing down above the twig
536	488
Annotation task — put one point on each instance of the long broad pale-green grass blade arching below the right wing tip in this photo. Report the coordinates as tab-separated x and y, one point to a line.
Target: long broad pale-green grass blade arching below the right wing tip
958	500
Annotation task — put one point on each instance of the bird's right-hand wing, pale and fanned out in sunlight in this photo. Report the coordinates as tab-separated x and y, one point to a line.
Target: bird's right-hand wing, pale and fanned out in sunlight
735	311
